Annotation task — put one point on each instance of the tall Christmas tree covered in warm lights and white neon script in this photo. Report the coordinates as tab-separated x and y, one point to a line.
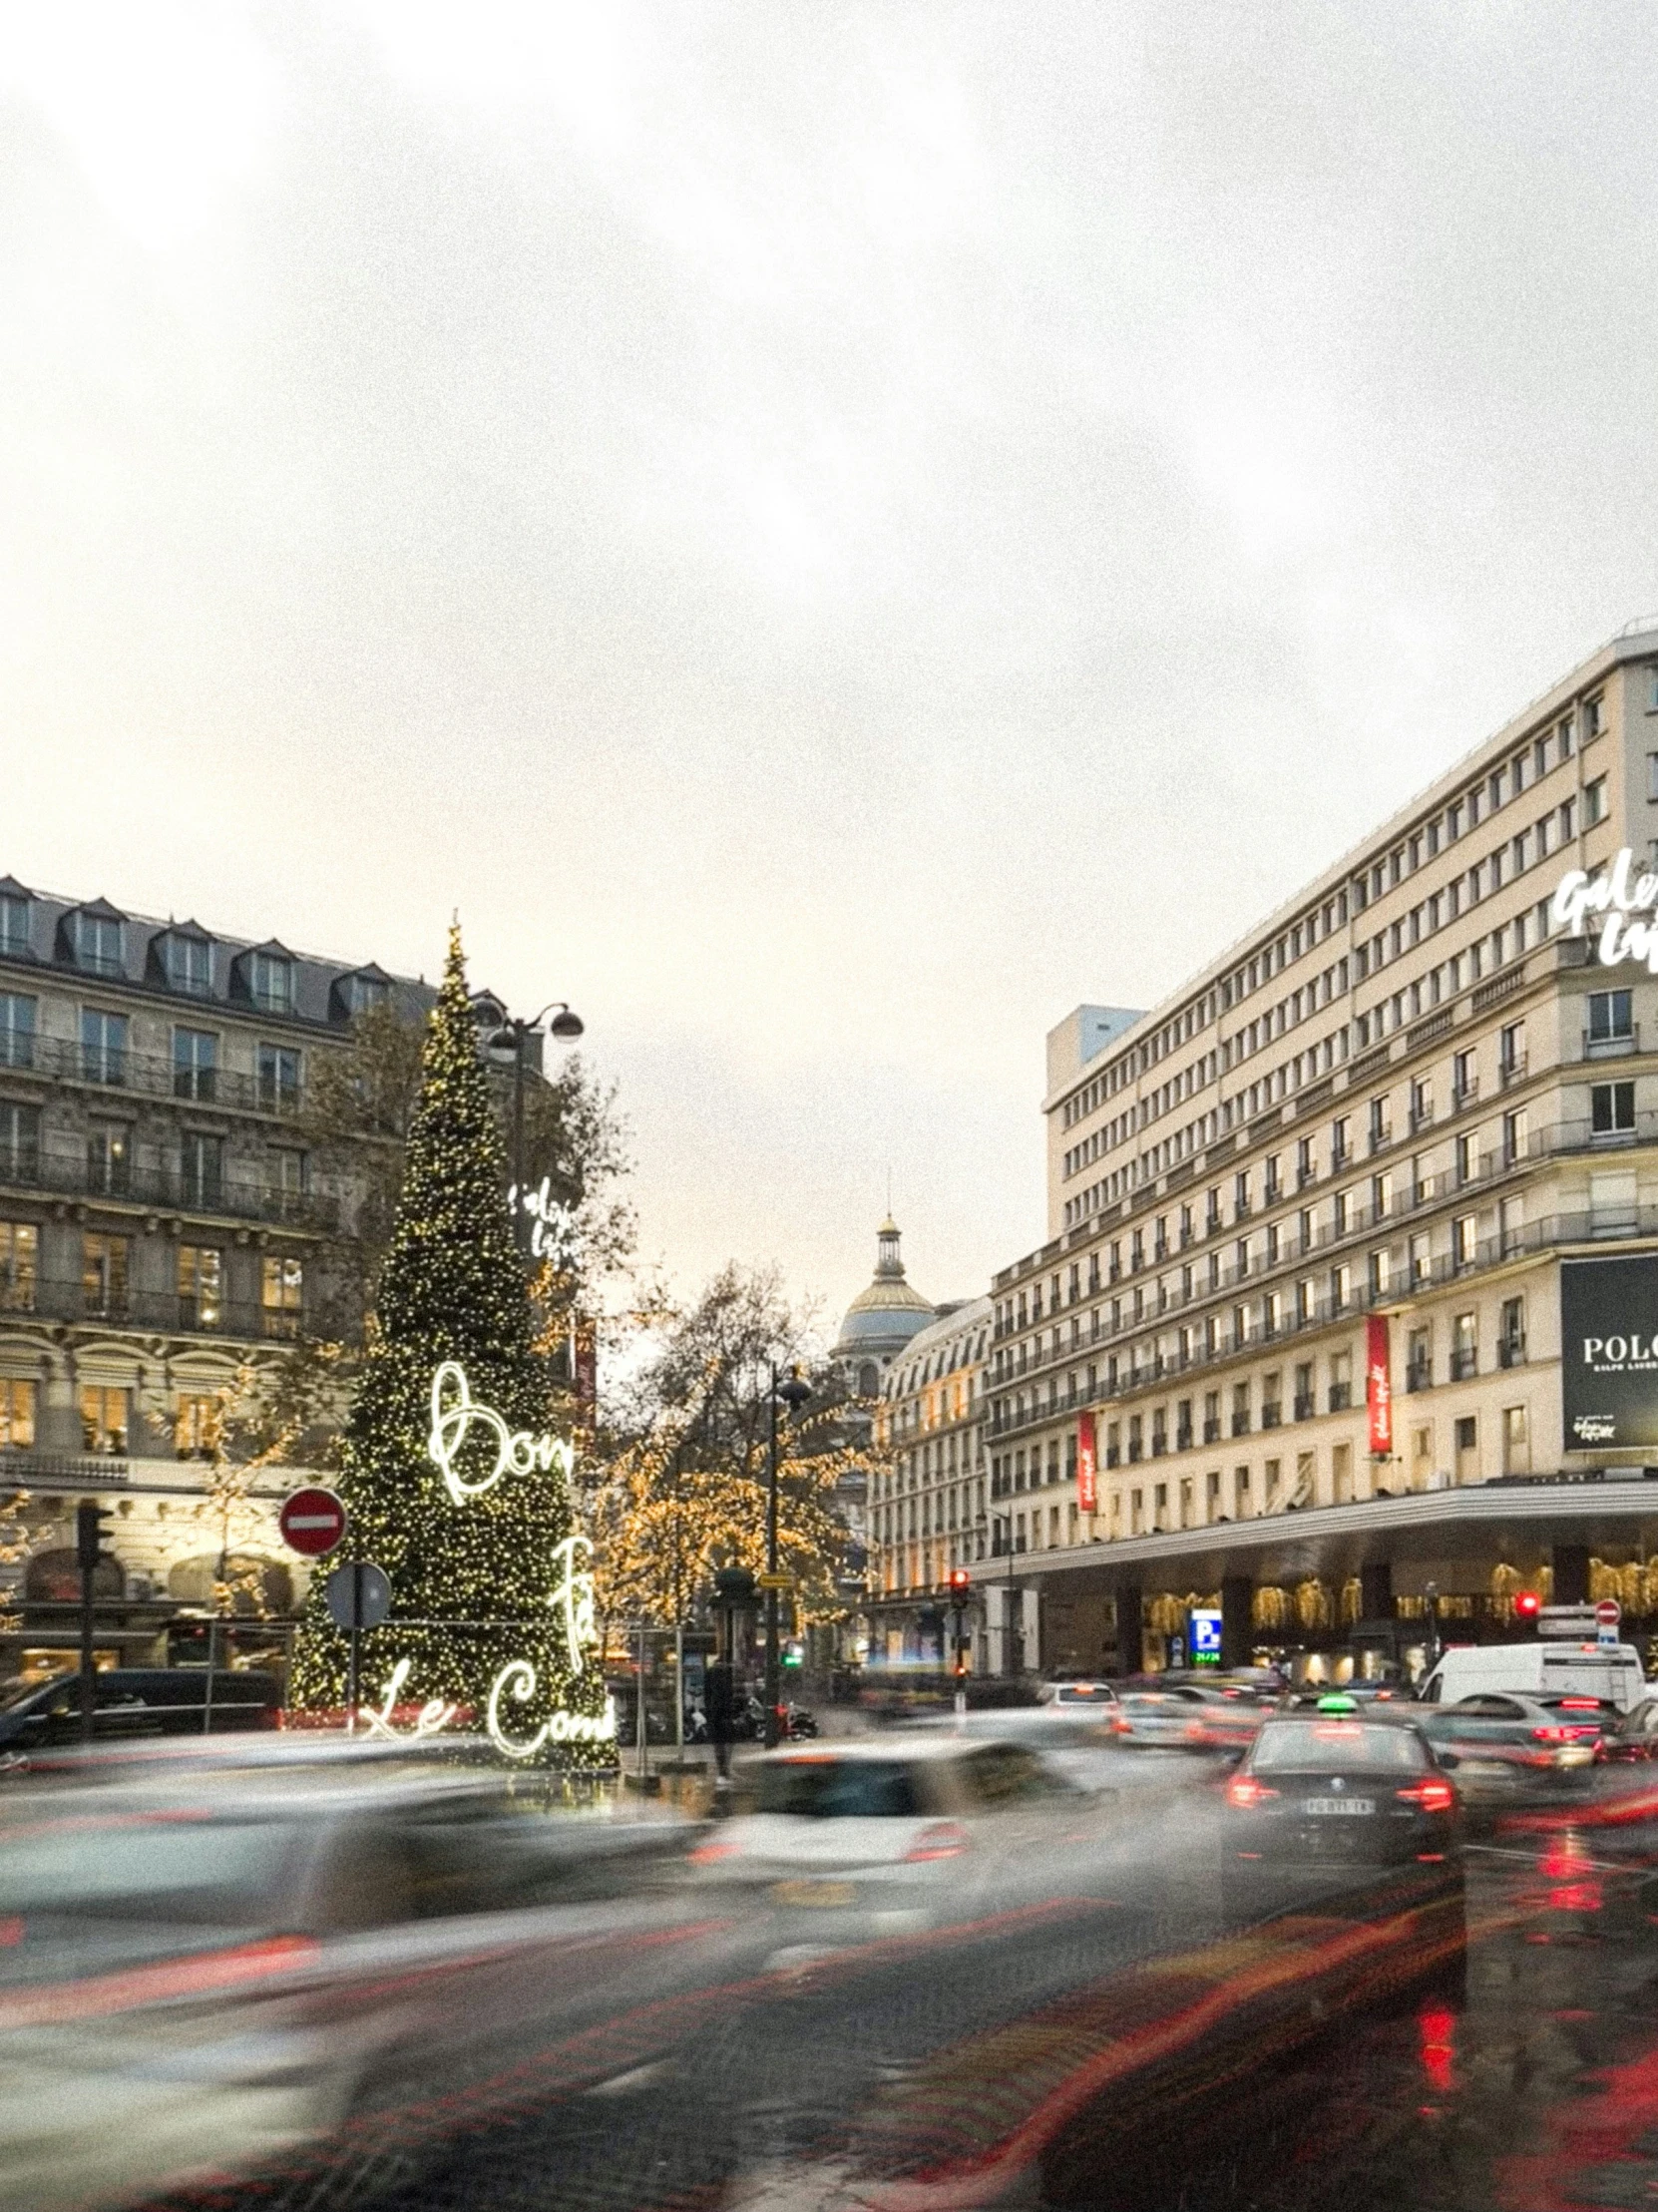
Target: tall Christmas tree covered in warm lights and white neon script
448	1472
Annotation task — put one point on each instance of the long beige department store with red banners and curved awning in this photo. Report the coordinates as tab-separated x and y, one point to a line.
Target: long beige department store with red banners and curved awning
1294	1339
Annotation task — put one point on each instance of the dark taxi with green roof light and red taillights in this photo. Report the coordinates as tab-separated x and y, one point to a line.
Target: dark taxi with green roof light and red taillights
1330	1797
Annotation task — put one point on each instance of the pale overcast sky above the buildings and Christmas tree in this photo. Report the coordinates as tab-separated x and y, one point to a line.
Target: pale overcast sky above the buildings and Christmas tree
830	534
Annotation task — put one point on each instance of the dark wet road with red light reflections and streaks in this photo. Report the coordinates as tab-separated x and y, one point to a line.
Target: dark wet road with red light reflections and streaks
969	2069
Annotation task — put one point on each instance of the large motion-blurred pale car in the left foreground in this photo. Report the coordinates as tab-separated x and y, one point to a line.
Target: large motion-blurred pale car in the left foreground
213	1979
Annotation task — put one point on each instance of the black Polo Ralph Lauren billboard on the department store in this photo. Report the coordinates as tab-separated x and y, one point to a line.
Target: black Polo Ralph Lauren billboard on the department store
1610	1353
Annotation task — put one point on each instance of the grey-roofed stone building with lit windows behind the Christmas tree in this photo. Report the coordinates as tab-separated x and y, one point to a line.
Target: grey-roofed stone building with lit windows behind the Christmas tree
165	1218
